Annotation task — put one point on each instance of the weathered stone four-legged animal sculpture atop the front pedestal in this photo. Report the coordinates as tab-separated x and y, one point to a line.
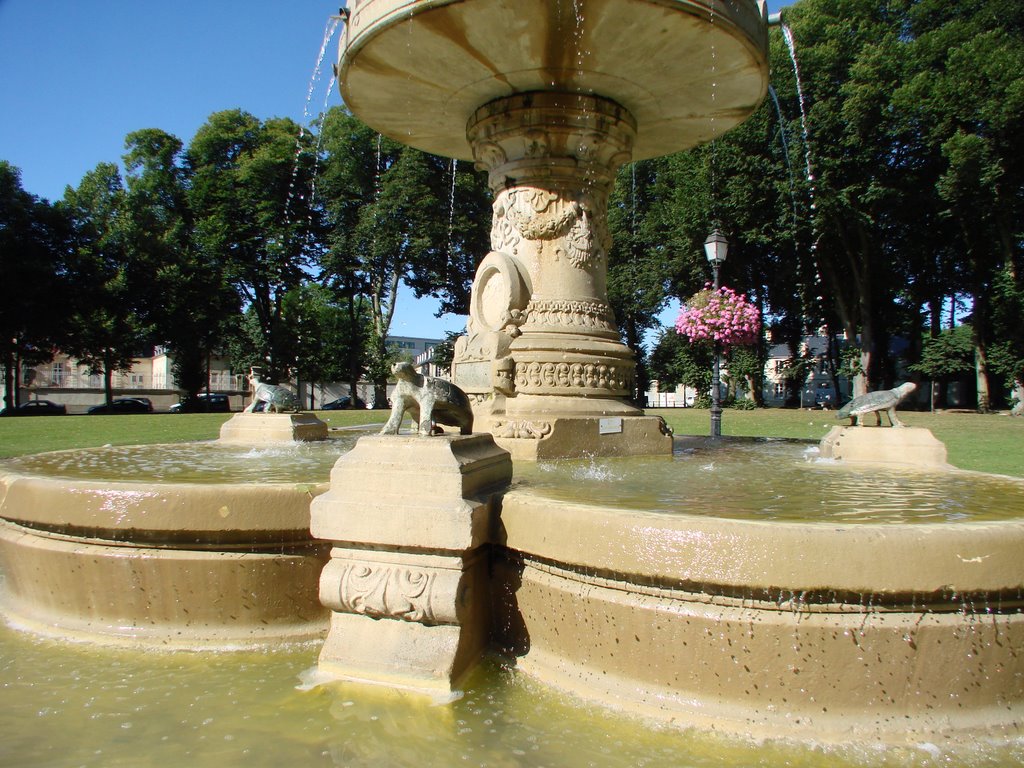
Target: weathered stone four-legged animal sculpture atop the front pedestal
429	401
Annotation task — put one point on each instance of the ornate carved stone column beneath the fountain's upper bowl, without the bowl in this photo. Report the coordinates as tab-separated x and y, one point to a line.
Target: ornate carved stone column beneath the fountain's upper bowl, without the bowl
543	360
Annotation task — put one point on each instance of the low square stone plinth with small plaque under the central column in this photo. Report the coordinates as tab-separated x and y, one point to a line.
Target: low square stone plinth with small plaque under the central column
580	437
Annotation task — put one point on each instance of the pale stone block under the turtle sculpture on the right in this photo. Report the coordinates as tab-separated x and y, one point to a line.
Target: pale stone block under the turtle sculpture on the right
912	448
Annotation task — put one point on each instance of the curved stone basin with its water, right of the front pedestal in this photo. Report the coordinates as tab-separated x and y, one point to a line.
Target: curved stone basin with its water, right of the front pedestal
751	618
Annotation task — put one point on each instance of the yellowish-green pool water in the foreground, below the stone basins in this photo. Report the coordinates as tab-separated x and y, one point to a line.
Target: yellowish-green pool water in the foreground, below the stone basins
64	706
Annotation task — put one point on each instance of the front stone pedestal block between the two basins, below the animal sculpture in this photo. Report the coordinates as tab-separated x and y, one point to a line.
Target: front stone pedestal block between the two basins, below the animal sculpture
412	520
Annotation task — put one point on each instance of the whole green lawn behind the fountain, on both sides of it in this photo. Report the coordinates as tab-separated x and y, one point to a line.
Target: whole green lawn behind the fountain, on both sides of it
987	444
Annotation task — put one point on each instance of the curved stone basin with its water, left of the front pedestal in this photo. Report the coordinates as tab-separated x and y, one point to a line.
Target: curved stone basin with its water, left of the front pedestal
197	545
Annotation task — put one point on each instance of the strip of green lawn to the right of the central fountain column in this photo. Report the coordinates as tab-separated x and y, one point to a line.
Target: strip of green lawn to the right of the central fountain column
983	443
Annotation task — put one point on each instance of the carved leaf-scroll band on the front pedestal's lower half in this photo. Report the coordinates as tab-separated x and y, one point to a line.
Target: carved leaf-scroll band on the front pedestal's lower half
388	592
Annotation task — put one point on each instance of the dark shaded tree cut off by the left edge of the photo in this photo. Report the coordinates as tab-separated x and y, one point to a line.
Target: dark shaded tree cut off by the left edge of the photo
33	294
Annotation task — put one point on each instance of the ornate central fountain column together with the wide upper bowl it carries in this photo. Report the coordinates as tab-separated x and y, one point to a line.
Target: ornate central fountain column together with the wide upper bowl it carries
551	99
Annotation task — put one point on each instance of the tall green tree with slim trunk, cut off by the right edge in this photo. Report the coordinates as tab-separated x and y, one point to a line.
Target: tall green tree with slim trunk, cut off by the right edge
965	96
